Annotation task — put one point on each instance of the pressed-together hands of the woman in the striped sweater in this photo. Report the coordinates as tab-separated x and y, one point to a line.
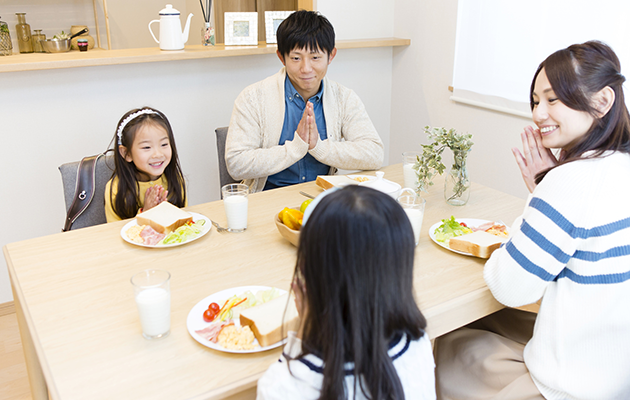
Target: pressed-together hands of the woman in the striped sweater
536	157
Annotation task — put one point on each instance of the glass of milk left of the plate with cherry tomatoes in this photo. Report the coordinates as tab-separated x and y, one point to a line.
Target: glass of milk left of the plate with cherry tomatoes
153	298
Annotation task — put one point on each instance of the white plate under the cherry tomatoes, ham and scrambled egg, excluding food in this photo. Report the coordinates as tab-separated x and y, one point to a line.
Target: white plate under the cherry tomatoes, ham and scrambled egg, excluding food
195	320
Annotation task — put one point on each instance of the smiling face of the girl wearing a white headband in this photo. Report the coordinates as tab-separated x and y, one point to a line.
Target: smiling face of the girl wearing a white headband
150	151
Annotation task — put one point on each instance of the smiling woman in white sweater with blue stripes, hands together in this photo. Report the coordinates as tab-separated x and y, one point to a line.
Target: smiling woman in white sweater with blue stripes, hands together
570	249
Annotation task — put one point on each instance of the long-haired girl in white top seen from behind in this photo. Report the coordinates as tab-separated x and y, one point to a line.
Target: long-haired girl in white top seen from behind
361	335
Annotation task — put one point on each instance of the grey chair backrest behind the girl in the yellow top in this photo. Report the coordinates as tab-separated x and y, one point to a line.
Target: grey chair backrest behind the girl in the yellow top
94	214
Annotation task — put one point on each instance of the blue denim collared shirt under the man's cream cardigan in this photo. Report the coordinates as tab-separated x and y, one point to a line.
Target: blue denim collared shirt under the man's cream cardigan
307	168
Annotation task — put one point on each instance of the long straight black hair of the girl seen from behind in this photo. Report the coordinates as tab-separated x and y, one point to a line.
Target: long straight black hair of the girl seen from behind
355	261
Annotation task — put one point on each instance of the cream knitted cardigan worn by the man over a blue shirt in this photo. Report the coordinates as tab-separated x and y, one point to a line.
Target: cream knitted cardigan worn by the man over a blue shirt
252	152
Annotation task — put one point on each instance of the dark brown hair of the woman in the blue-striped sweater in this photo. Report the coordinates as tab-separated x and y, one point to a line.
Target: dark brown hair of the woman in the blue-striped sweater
576	74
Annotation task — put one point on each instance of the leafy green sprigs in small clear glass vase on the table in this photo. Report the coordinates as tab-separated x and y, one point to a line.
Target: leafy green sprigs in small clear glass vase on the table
430	163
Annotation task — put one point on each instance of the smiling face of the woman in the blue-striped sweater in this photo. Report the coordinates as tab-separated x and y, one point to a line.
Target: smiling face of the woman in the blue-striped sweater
560	126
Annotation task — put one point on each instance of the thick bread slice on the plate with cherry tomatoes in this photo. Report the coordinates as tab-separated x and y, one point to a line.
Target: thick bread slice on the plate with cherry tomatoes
269	322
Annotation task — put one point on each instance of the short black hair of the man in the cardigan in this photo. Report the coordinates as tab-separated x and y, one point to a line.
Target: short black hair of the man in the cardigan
305	29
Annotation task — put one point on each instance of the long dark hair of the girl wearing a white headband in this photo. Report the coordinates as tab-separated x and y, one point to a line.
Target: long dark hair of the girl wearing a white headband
126	204
